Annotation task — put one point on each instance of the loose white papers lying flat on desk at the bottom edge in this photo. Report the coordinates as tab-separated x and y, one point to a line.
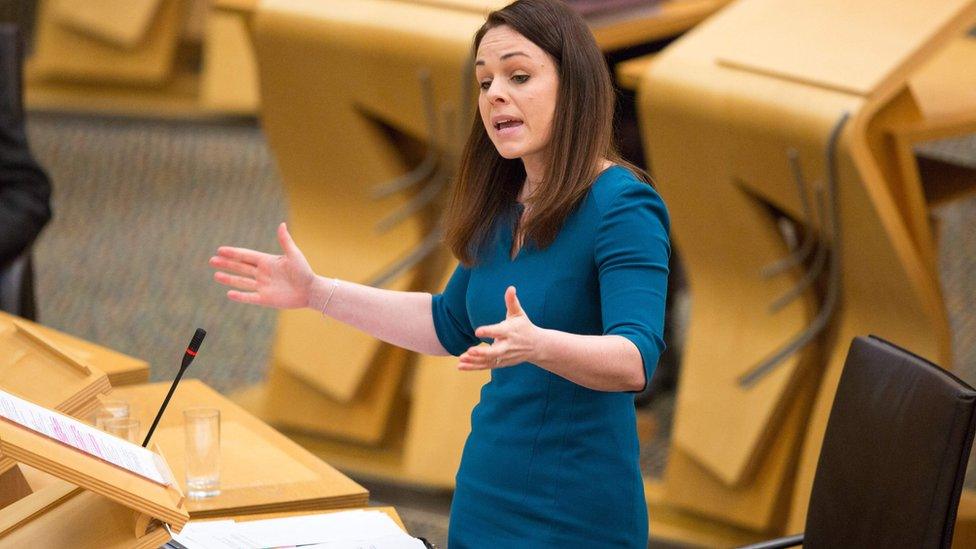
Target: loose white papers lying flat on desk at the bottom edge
357	529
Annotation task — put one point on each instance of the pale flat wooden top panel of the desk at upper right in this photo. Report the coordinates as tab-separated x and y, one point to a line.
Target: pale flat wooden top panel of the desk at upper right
786	39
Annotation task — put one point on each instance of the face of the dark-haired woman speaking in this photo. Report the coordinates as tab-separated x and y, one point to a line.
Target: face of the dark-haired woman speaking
517	101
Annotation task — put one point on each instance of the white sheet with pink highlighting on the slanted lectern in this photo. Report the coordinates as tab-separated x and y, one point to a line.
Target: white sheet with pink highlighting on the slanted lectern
76	434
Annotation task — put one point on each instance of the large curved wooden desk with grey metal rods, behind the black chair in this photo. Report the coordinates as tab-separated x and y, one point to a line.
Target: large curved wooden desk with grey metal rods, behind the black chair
780	134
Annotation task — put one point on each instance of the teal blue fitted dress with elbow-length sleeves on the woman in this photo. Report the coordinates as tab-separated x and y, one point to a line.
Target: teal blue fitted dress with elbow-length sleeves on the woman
549	463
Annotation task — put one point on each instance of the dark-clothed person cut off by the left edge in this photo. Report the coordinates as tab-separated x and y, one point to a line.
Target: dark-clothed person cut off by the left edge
25	191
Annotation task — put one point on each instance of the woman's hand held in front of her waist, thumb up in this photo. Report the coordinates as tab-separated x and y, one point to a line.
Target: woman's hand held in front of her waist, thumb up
516	340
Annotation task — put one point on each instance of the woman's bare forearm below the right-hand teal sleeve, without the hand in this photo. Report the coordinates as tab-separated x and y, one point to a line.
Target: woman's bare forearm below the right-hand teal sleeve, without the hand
602	363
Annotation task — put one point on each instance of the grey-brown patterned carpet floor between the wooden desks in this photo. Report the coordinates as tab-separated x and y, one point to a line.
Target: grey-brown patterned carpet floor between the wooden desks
140	205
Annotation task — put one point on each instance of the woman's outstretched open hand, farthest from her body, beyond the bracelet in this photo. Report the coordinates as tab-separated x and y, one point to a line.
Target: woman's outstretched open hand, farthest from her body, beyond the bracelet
280	281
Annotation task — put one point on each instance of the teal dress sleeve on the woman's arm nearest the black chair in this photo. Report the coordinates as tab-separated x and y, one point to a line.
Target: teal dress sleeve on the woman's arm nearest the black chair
631	252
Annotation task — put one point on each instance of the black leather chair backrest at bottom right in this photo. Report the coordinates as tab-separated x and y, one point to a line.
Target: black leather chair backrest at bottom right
894	454
